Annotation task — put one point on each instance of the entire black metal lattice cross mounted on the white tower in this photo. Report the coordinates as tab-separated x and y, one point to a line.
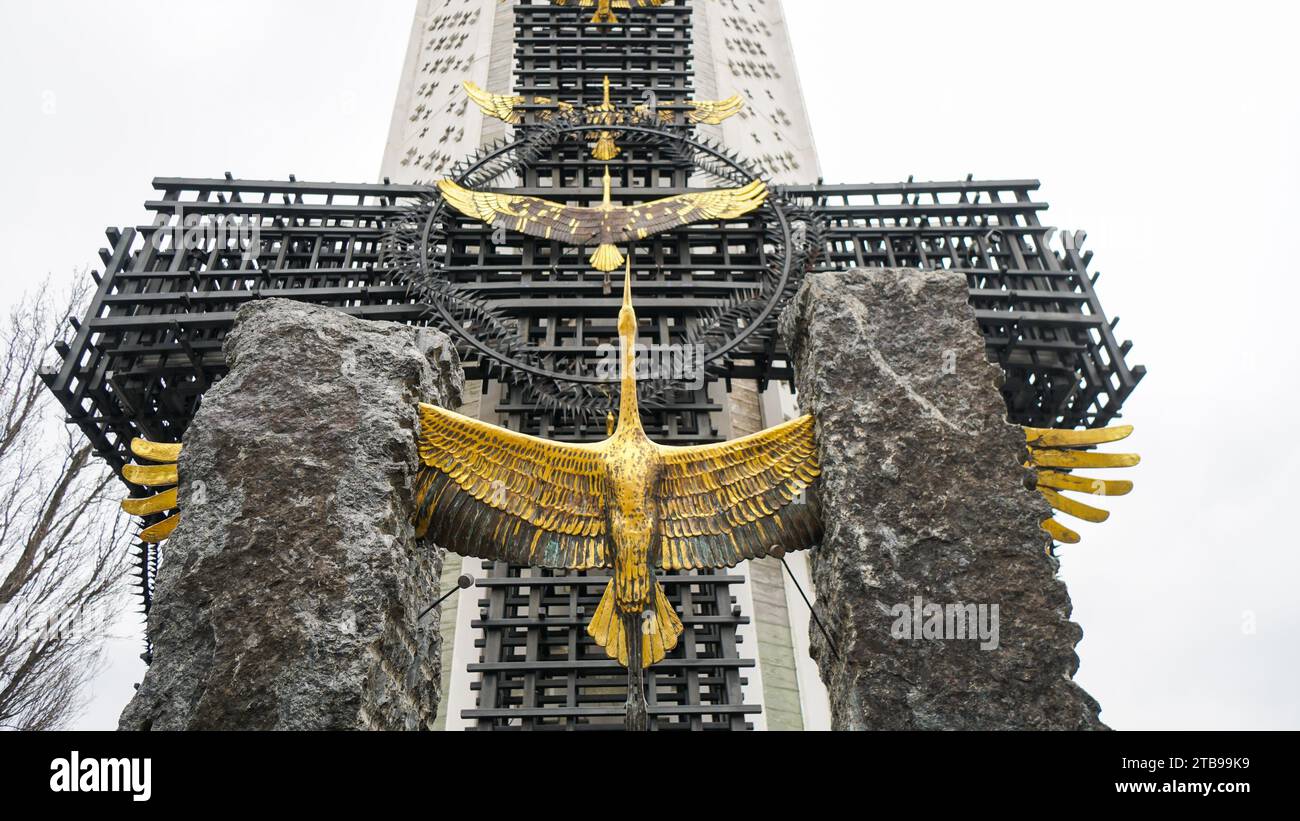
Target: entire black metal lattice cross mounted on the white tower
151	341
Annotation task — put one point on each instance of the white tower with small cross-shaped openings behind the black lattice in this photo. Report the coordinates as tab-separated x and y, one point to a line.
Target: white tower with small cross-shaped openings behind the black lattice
740	47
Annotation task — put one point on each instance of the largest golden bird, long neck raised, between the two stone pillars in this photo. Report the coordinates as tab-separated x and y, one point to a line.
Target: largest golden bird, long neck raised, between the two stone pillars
627	505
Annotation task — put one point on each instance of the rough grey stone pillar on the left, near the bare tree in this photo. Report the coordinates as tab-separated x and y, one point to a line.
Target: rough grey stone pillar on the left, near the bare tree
288	597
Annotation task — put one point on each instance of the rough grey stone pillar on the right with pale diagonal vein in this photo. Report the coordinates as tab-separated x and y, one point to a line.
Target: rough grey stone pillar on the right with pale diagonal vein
925	498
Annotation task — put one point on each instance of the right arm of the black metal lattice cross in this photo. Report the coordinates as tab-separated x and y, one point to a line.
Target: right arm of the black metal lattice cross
1037	306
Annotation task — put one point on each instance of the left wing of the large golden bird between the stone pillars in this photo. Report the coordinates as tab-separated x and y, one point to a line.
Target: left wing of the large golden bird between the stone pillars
496	494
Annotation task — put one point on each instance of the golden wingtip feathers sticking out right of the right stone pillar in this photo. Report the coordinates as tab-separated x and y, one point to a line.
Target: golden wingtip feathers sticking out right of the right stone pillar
1054	453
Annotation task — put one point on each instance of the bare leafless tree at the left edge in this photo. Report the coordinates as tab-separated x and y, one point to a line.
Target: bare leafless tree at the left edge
63	553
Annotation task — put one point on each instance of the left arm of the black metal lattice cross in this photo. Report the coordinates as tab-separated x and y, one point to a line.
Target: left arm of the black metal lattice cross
150	344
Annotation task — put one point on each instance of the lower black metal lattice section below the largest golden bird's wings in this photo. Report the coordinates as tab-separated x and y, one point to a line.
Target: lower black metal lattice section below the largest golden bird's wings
540	671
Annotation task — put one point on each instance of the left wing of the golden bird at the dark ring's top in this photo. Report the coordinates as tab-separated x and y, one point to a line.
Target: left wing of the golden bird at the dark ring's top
527	215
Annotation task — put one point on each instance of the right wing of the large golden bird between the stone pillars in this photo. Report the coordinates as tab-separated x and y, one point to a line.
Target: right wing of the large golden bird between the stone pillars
730	502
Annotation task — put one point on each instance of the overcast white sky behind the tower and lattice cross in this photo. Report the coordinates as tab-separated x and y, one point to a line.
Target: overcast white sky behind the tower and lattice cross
1168	131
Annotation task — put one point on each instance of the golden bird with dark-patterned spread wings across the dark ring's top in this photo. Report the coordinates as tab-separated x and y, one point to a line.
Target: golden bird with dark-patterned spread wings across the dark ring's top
605	224
